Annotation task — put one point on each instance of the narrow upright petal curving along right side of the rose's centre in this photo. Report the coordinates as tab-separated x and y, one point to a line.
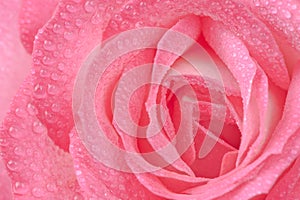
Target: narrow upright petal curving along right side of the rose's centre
238	60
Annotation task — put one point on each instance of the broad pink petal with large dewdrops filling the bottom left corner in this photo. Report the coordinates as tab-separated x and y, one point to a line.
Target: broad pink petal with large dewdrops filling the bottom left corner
37	167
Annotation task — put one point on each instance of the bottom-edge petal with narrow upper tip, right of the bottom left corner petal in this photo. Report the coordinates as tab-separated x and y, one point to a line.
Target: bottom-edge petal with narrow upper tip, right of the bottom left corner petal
113	184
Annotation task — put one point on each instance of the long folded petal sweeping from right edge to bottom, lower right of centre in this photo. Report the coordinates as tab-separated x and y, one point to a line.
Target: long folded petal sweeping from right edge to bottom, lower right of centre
260	176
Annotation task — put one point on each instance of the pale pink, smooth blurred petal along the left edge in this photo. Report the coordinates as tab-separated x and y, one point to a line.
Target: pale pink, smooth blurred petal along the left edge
14	61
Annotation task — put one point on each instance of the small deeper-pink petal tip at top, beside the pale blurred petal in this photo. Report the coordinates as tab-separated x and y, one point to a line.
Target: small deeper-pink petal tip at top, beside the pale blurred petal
34	14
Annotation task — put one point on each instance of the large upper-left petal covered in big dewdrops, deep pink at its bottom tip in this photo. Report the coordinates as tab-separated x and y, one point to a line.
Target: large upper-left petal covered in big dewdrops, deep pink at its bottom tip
70	35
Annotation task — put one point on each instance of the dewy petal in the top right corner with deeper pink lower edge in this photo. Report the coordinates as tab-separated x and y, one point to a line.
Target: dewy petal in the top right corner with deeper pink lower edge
283	19
